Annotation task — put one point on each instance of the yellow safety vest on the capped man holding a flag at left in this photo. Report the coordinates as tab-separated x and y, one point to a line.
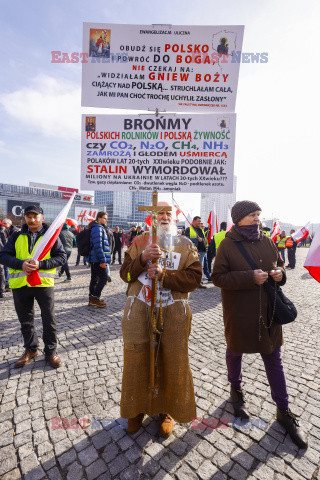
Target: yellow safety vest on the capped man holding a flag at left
18	278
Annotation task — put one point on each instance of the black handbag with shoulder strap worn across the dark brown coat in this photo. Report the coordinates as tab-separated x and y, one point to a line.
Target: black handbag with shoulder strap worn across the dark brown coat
283	310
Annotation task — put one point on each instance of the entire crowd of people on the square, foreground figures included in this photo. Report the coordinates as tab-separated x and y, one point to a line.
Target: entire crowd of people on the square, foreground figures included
157	317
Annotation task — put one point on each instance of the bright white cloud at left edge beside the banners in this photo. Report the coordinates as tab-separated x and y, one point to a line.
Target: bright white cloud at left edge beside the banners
48	106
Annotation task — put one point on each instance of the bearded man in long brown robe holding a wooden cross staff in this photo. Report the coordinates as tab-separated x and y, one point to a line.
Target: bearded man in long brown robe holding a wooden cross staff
178	273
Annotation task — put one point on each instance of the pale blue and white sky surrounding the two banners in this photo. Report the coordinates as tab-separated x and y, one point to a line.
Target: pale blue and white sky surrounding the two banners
276	155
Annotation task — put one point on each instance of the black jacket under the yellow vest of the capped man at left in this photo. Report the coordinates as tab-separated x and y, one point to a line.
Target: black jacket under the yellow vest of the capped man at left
8	254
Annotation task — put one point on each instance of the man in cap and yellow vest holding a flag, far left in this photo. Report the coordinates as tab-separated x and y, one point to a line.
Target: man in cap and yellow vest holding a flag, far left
17	255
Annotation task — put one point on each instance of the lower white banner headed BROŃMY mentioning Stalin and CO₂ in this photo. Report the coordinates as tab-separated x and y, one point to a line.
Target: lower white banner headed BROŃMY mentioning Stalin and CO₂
167	153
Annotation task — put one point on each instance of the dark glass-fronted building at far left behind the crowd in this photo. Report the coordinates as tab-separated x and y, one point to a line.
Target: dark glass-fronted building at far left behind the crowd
14	198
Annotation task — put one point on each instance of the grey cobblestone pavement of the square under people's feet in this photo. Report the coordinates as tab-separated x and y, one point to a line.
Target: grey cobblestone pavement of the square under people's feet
88	388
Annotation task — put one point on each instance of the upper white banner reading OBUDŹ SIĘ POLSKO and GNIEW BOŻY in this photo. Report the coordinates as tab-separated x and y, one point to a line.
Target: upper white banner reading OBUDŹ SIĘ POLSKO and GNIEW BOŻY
170	67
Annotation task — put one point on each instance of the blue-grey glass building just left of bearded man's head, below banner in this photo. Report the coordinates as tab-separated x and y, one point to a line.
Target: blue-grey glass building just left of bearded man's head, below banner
122	207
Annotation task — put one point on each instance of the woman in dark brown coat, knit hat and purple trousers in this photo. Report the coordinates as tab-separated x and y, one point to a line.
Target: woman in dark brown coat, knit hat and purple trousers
249	328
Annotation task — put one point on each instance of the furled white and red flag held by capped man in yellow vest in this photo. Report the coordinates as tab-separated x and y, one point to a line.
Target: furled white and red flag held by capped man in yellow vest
48	240
